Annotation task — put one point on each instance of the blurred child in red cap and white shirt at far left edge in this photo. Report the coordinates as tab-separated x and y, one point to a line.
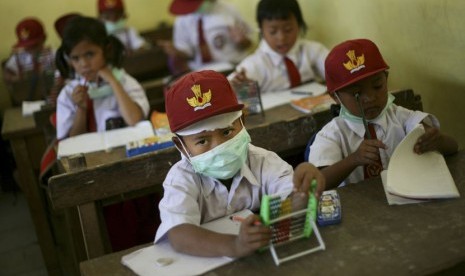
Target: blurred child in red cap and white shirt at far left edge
29	71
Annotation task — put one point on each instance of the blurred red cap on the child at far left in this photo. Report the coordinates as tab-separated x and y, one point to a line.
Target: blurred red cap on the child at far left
29	32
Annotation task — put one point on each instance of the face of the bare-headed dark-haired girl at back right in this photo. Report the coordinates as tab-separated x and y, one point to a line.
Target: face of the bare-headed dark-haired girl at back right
281	35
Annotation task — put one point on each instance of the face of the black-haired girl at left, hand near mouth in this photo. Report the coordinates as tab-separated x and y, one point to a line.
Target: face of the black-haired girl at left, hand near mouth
87	59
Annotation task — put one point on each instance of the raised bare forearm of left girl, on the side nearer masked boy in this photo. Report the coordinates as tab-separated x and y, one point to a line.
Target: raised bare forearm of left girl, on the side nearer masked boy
130	111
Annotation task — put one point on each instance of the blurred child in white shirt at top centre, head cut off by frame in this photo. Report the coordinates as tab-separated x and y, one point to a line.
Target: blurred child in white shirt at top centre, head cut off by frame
206	31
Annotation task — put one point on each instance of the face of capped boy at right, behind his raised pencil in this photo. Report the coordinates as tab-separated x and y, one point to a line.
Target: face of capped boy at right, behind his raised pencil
372	94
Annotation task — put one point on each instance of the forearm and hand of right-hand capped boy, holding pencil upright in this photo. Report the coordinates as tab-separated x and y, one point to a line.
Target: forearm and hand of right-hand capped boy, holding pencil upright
366	153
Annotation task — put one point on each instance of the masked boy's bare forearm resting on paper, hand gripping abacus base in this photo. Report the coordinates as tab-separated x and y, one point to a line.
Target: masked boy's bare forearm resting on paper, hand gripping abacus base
195	240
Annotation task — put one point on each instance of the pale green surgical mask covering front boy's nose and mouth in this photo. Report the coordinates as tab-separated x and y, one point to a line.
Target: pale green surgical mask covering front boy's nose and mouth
225	160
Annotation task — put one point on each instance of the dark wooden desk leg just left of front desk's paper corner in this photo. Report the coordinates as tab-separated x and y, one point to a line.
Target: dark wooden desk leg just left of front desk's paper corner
91	230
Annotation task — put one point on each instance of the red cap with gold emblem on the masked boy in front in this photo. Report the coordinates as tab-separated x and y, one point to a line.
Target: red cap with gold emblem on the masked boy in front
198	96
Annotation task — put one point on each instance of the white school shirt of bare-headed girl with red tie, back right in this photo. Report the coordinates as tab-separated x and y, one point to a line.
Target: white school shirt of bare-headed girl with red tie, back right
267	67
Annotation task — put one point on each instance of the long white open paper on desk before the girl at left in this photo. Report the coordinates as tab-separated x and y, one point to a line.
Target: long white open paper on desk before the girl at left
106	140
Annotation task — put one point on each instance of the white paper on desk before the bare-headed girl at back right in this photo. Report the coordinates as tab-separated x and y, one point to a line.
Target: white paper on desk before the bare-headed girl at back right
276	98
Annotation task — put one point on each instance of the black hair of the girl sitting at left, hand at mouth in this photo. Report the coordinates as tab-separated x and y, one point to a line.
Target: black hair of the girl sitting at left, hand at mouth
91	29
